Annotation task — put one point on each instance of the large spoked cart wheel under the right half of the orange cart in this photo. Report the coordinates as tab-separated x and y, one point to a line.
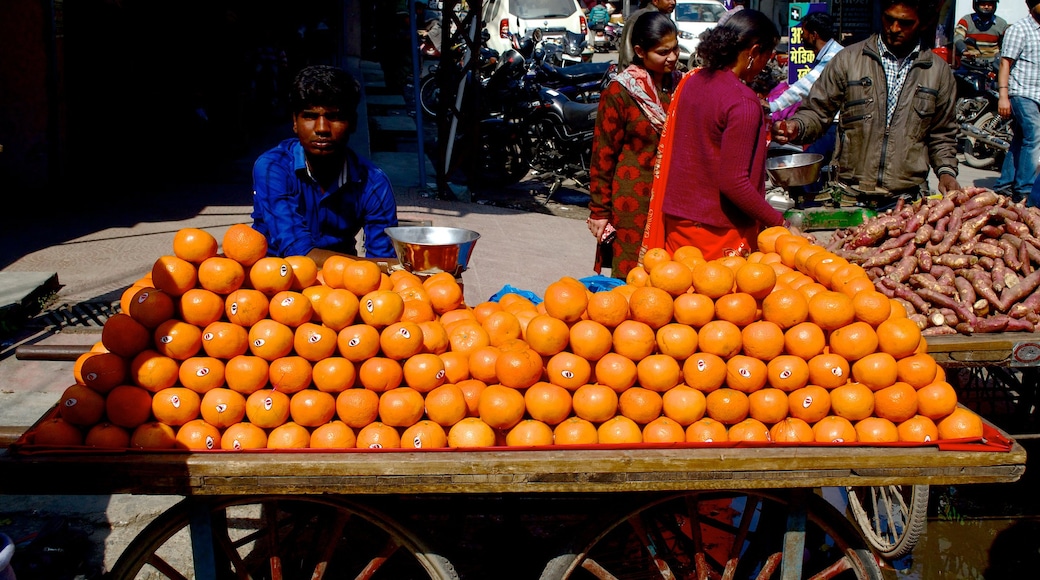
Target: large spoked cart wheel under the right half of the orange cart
723	535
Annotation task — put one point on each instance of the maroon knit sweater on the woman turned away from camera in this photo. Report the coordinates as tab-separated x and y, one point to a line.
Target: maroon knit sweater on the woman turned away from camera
718	172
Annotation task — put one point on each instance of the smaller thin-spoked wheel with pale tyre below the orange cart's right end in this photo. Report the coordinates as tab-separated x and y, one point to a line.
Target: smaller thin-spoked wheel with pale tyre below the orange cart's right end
892	518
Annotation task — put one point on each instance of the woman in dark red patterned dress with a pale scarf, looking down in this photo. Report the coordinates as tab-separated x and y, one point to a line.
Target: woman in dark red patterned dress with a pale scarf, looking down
632	115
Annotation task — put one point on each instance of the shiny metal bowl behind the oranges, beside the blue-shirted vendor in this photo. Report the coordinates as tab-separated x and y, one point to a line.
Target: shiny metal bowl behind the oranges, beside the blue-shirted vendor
427	251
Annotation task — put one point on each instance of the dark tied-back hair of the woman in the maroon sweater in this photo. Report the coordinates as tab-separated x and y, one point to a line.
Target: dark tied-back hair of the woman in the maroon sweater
720	46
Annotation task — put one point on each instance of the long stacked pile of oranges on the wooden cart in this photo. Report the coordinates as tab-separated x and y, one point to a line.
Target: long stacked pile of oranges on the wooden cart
242	351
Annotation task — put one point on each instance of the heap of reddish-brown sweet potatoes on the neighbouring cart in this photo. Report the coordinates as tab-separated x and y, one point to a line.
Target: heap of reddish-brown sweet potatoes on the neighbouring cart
967	263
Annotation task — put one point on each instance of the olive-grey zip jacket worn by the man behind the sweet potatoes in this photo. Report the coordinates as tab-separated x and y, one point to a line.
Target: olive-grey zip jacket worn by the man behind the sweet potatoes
872	156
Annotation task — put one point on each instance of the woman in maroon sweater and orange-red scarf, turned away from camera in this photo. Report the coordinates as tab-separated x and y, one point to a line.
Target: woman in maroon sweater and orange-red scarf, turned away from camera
715	180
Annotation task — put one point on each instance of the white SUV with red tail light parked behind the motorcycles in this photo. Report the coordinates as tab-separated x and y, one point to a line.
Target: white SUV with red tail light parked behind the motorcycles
523	17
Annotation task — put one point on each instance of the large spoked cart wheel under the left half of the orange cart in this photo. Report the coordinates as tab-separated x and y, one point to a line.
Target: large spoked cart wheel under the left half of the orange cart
277	539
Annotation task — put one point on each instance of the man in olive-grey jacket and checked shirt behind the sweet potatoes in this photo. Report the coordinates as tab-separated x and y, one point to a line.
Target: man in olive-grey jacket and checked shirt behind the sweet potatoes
896	100
